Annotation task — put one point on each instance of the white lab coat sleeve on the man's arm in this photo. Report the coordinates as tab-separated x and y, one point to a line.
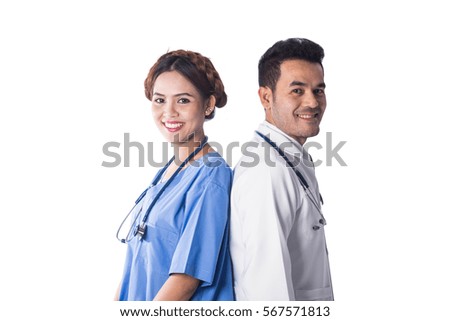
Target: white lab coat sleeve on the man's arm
263	209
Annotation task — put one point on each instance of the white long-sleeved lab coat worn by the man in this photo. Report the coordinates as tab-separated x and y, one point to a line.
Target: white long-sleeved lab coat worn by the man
277	243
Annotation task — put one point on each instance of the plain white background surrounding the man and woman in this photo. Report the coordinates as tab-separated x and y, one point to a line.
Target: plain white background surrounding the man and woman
71	79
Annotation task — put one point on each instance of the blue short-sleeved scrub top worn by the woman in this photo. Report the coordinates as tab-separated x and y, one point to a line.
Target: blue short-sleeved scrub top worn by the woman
187	232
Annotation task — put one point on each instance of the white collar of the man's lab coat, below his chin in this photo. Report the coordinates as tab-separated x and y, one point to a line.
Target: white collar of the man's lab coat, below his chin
290	146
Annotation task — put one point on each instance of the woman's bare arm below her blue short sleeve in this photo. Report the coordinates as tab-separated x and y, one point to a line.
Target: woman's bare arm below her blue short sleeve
178	287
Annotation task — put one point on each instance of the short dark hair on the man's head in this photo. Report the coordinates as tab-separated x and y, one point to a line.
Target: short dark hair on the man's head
292	48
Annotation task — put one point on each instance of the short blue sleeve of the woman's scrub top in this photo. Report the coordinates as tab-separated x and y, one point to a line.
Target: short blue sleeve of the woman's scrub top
199	247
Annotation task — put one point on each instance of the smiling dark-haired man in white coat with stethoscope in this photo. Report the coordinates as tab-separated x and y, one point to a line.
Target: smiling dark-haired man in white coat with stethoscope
278	245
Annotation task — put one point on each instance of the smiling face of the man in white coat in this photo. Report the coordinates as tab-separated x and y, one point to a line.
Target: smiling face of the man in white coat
298	102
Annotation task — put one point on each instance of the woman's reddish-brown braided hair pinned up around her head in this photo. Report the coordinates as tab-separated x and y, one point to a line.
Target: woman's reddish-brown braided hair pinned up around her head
198	69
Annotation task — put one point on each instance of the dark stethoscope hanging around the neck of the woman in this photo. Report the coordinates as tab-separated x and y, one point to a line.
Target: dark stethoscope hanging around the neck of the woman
141	228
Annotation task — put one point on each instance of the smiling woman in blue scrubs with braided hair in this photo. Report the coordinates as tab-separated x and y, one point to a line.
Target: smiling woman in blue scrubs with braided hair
178	241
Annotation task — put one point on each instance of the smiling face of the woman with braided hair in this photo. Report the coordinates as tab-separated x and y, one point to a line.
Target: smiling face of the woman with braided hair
178	108
